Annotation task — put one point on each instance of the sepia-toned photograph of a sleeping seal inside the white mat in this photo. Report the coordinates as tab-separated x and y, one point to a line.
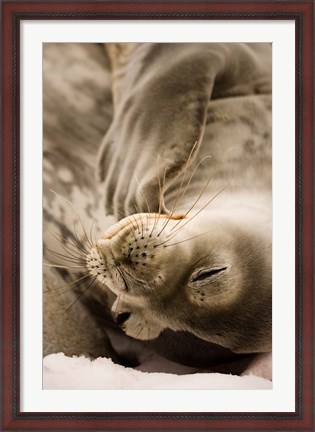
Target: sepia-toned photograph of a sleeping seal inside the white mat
157	171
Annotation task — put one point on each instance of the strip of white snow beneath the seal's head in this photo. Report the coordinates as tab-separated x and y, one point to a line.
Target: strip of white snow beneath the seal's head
80	373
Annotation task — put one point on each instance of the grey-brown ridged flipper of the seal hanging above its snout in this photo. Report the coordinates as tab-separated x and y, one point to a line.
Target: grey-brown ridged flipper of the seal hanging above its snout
164	93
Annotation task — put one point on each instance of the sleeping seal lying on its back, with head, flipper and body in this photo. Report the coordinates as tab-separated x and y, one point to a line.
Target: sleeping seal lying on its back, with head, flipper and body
186	166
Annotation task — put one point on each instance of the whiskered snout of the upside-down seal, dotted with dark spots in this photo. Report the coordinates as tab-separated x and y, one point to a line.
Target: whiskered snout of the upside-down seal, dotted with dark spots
131	256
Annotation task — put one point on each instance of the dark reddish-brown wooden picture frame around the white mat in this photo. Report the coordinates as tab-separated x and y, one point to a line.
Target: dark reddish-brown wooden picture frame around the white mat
302	12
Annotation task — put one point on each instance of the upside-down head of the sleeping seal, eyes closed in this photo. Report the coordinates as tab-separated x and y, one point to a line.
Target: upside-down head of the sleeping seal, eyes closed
165	277
